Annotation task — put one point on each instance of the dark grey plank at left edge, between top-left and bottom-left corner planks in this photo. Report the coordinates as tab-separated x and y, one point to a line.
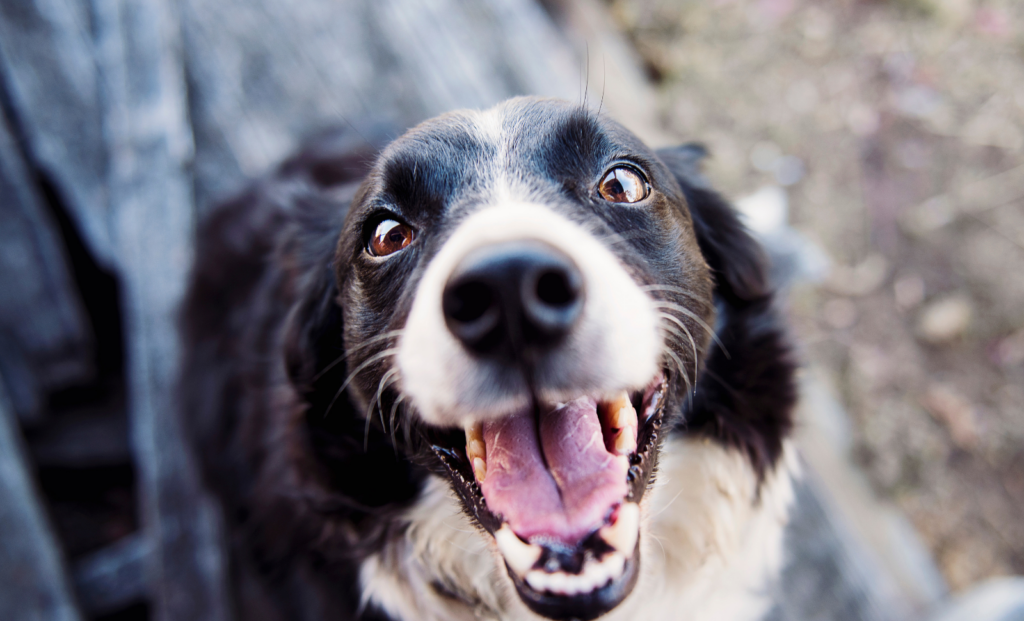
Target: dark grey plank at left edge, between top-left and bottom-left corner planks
46	339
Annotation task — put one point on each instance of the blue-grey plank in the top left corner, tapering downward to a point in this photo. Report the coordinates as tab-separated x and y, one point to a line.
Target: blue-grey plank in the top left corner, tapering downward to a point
51	79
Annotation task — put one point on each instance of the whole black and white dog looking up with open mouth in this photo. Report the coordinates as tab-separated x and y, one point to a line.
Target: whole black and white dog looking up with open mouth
517	366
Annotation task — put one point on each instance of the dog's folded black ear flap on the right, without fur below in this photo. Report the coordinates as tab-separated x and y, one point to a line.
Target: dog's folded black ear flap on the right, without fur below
736	259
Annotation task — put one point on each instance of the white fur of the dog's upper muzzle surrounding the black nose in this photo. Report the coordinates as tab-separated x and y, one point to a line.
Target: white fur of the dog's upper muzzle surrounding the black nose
616	343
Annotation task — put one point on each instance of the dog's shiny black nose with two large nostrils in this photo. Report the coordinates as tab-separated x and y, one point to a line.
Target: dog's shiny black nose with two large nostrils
523	296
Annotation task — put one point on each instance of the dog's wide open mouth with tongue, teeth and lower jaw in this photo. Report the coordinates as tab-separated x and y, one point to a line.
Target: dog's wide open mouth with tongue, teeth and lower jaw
559	486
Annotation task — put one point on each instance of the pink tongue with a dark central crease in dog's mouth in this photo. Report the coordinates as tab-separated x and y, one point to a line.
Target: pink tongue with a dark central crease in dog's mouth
568	502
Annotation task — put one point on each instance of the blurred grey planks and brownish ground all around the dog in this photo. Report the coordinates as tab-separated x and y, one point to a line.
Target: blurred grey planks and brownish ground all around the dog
877	149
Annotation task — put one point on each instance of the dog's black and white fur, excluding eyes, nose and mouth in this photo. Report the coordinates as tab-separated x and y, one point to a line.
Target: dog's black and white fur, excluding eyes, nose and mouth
336	503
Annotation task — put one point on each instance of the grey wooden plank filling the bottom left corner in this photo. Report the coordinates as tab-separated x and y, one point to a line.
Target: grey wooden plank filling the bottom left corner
33	584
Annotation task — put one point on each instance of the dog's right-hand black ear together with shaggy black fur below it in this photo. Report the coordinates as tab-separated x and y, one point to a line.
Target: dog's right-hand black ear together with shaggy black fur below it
746	395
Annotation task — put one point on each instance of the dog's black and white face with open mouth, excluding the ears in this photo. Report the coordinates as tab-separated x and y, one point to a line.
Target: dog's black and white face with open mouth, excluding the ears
525	295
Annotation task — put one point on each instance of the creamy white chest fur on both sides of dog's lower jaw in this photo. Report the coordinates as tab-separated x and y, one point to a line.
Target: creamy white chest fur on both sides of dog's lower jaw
711	545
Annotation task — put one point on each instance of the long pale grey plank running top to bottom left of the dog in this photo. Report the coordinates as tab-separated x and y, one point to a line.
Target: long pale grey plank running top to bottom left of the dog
153	226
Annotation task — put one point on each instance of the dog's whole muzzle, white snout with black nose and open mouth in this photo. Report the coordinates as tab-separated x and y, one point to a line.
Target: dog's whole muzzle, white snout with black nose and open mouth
531	336
